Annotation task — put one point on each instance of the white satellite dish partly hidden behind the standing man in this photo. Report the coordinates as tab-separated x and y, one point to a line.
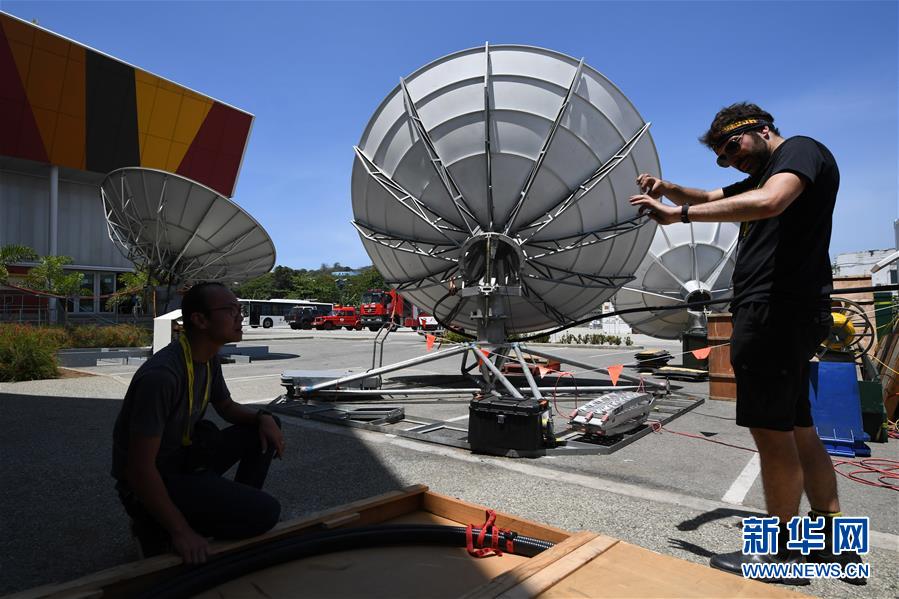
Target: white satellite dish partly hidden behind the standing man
686	263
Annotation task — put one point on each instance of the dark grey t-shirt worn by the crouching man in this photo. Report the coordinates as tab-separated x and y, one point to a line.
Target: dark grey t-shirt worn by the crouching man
156	406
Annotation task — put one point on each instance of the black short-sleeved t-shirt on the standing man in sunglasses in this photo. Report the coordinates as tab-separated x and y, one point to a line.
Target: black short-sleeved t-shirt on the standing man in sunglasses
785	259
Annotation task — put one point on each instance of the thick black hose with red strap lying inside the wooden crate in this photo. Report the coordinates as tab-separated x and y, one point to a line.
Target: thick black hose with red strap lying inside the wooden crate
222	569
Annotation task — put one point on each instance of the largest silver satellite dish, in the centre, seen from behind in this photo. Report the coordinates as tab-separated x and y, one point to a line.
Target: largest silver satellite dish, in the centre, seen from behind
526	143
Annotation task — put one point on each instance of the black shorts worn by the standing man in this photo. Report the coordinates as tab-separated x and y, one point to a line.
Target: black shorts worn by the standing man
770	349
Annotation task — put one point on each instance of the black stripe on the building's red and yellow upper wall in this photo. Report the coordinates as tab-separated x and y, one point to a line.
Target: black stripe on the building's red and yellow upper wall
111	106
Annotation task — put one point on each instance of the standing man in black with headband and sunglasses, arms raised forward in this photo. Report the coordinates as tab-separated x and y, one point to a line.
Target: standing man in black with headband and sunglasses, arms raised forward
781	306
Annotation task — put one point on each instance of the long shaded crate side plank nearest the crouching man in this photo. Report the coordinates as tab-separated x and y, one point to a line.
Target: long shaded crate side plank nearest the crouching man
134	575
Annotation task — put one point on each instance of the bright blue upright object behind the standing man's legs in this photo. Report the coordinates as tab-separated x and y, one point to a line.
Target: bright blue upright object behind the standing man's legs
836	409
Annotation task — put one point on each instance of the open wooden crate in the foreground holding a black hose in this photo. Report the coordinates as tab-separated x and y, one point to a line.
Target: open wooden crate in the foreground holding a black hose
580	564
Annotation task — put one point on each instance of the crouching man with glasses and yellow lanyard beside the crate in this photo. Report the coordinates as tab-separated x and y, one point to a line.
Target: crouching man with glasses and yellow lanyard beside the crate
168	462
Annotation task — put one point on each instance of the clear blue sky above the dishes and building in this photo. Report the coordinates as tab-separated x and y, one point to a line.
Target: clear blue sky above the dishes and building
312	73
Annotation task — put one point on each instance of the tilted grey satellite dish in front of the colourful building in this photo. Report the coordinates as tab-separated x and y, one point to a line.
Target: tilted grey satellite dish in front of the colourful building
182	231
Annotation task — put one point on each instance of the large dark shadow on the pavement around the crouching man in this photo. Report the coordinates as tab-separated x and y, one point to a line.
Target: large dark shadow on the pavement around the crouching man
61	516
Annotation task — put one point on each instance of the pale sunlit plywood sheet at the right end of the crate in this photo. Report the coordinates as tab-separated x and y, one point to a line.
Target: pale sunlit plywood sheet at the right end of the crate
626	571
